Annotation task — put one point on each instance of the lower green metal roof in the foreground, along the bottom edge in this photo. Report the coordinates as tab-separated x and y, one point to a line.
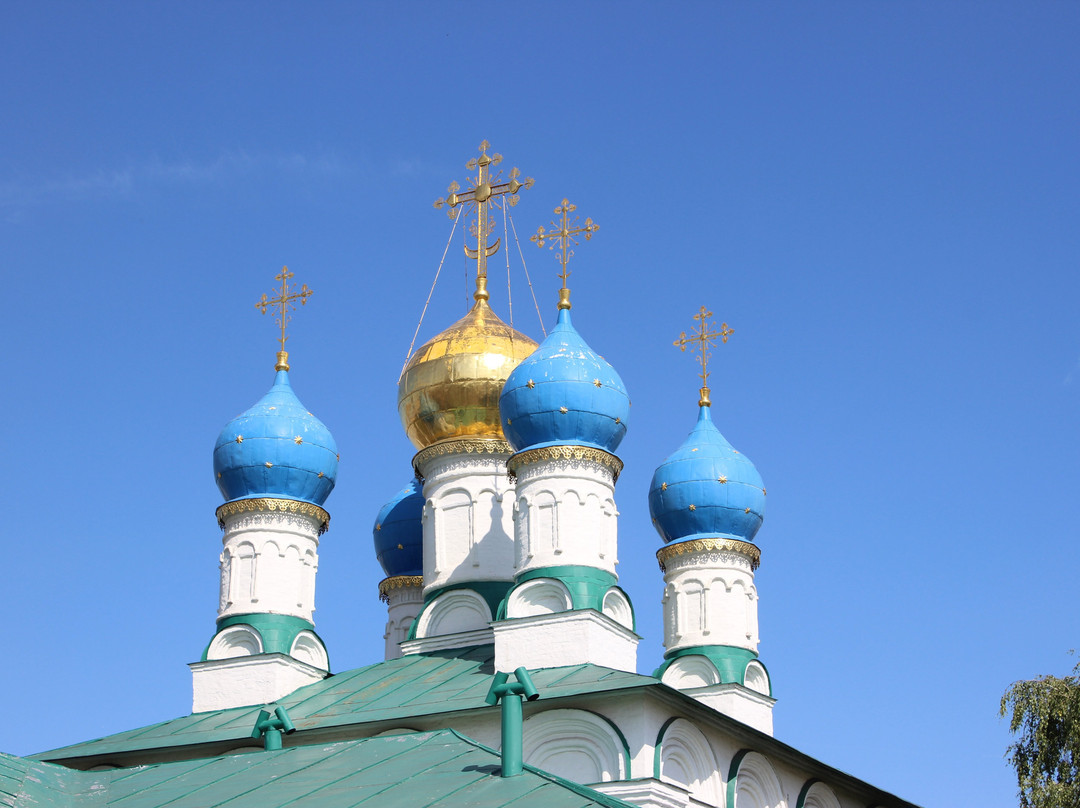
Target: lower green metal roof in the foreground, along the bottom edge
417	771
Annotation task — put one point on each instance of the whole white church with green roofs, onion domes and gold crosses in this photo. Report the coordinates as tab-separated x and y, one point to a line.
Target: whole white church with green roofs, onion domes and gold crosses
510	675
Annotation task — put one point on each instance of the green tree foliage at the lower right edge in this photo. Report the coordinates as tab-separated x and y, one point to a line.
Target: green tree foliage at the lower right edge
1046	715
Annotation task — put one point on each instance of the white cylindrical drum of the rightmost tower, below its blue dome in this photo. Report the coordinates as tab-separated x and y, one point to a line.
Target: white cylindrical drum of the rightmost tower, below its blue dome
710	599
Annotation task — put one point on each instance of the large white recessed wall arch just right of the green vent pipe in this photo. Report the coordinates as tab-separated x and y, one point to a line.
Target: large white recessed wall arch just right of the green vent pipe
575	745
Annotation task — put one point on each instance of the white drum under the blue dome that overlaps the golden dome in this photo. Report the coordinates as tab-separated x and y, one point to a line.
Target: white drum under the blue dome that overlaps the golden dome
565	515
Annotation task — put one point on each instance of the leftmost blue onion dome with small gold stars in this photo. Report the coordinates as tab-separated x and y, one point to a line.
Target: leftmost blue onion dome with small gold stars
277	449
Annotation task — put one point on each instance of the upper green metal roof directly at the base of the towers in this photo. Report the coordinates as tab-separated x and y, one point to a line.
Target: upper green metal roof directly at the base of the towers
397	691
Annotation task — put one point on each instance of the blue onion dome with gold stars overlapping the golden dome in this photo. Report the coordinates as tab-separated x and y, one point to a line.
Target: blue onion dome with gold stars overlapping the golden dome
564	395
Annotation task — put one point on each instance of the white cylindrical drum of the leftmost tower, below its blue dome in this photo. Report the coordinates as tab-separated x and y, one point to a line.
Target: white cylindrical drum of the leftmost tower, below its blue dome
269	564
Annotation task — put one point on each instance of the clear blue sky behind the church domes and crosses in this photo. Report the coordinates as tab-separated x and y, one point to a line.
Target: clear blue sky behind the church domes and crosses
880	198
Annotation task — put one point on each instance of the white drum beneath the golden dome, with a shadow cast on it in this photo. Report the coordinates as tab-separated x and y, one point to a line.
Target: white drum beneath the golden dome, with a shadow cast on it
468	520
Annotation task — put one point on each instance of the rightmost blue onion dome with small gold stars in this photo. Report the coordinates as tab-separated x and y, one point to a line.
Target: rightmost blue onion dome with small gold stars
707	490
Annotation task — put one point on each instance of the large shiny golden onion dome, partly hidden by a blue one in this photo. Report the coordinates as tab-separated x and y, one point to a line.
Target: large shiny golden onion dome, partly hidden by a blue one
451	386
